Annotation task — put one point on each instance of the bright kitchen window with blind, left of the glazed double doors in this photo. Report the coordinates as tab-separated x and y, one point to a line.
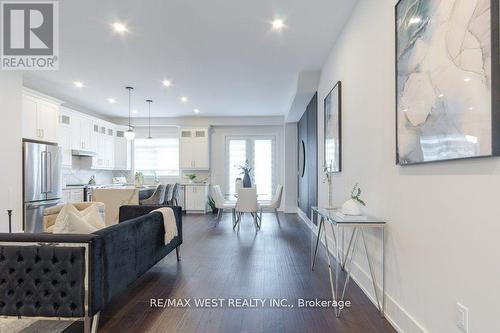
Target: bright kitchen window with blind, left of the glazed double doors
157	156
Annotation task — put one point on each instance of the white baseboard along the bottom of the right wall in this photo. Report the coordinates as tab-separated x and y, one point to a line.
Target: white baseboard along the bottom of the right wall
400	319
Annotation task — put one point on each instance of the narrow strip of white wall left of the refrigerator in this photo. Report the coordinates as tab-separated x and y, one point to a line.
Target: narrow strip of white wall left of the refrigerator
11	149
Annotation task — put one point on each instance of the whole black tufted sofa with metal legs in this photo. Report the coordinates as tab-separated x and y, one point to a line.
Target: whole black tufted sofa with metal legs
75	276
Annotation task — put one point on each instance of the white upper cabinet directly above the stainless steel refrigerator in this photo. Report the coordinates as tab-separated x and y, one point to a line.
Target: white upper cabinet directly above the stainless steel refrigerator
40	116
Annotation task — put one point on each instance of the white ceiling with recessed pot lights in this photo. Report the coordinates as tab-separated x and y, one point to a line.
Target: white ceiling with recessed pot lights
222	54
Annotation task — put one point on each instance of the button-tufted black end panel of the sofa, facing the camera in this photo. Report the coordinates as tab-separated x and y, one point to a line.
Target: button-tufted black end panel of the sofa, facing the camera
43	275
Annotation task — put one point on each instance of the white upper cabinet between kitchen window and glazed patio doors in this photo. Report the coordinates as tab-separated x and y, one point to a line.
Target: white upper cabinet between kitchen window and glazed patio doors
194	149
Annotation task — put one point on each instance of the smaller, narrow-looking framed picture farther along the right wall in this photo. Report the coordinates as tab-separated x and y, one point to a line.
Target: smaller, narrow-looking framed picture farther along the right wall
333	131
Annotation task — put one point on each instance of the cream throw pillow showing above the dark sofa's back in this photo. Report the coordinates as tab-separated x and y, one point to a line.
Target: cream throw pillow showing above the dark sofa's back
70	220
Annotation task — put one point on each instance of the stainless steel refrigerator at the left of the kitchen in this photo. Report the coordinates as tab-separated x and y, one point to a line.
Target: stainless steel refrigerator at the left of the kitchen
42	182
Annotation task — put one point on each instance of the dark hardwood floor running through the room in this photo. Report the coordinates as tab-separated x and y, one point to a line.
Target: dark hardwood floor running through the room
222	263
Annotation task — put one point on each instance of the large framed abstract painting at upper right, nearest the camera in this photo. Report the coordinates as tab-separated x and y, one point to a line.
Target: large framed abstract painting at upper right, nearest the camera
446	95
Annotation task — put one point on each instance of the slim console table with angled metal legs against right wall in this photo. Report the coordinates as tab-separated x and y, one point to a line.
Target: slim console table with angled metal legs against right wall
344	259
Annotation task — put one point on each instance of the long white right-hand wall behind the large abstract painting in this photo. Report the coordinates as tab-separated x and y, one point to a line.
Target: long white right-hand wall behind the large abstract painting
444	228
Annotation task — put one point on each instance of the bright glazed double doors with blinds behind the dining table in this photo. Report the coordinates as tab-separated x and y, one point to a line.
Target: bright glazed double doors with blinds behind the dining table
260	155
